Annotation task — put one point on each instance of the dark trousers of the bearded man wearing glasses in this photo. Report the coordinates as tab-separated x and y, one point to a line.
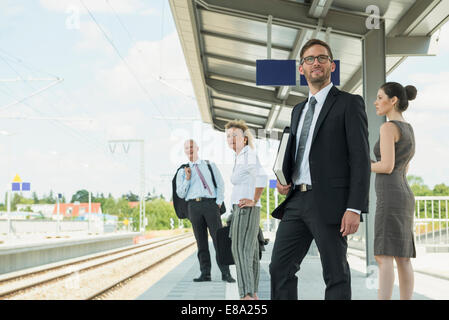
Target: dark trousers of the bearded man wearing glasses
301	224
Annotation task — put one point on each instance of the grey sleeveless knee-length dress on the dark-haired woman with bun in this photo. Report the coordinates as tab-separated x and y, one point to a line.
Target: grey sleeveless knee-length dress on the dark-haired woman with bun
393	235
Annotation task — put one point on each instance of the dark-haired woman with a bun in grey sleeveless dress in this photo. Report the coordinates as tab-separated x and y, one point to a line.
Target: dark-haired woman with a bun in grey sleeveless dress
393	236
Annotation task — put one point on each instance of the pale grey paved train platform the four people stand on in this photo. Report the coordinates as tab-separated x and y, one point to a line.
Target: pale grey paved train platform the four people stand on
178	284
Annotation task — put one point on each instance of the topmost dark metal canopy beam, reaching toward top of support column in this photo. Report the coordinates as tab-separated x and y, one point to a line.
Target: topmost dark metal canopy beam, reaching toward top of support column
290	14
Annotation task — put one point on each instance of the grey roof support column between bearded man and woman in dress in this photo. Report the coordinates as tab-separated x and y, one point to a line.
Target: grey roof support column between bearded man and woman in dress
373	64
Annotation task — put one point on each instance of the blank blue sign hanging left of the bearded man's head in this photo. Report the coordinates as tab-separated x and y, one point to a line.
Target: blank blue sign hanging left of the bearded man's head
276	72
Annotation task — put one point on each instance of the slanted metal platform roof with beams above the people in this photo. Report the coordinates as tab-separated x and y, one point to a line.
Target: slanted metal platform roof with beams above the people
222	40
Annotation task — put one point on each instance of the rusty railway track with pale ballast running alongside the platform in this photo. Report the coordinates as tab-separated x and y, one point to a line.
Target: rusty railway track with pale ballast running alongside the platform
17	285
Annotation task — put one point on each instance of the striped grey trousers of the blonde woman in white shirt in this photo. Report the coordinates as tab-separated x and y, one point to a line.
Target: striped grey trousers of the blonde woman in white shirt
245	248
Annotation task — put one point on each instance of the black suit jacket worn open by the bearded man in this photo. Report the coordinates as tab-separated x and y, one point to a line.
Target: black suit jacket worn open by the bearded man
339	160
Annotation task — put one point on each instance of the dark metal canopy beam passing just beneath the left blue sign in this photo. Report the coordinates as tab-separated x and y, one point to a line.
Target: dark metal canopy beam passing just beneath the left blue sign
250	93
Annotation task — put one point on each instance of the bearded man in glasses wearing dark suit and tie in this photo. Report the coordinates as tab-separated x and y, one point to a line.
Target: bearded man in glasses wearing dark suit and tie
327	168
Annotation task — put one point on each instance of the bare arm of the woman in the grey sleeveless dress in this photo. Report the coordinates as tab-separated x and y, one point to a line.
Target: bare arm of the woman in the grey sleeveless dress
388	132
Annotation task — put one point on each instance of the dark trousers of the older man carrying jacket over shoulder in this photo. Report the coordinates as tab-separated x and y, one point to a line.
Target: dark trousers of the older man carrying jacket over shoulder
206	215
